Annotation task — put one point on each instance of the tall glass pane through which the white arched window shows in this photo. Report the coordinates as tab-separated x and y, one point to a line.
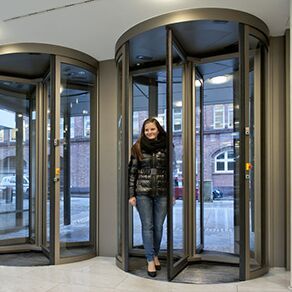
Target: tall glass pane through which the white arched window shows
219	184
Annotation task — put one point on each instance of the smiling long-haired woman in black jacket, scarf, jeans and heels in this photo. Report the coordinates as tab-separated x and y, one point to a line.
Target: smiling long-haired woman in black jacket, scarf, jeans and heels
148	187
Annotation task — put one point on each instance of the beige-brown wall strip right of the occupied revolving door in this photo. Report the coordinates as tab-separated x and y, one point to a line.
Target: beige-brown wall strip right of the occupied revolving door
275	142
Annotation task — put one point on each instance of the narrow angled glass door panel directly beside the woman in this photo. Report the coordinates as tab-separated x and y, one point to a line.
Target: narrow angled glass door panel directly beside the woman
177	259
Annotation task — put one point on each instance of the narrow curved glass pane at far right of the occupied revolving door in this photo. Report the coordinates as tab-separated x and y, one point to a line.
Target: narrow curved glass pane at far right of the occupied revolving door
255	218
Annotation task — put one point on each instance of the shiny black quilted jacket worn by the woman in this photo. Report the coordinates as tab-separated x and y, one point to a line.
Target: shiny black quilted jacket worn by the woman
148	176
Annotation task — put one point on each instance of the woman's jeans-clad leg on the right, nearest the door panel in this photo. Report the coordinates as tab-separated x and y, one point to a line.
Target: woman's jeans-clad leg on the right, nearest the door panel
160	210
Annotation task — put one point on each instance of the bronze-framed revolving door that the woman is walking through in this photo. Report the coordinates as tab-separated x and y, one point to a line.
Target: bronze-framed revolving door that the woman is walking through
204	81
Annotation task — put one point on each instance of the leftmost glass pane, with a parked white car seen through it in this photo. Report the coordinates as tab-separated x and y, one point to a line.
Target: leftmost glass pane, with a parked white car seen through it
15	200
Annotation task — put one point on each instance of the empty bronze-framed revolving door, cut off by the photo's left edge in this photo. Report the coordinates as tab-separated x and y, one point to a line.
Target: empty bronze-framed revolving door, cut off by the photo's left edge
48	152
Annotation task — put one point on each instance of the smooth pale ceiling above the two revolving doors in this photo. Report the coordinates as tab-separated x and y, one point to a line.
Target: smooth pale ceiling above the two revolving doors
94	26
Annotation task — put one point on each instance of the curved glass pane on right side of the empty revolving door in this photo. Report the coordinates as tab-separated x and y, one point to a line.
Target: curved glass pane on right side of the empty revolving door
75	200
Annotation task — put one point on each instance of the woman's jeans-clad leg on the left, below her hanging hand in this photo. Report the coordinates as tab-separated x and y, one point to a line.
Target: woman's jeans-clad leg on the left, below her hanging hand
145	210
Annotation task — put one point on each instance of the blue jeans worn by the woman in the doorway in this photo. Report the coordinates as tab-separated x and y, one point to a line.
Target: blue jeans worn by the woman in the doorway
152	212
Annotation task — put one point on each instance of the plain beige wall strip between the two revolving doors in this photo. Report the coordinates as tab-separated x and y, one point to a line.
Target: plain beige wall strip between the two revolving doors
107	160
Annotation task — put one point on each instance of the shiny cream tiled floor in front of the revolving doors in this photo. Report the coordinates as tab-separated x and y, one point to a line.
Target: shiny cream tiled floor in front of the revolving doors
101	275
